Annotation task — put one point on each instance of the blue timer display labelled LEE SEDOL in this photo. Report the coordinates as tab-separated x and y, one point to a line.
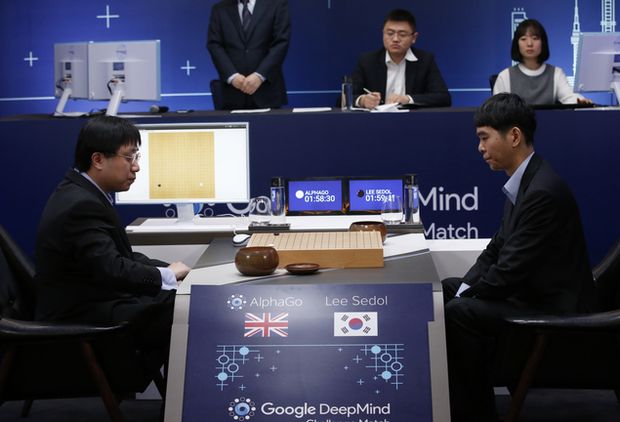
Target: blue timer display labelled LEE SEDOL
370	194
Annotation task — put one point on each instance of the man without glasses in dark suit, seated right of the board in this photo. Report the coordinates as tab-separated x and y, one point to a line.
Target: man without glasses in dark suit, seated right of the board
536	262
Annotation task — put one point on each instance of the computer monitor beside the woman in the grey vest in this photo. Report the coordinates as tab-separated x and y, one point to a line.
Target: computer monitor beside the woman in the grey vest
598	63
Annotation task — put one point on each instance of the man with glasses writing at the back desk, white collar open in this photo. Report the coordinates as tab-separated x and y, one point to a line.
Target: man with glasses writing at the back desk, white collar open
399	73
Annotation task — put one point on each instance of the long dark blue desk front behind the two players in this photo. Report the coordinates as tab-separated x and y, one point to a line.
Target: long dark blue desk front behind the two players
461	196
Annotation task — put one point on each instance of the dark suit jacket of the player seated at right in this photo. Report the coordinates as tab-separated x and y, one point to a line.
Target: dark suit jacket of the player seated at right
538	256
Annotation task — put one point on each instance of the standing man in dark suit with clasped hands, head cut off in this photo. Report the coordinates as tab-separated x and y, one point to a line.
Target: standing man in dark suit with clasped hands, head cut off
248	41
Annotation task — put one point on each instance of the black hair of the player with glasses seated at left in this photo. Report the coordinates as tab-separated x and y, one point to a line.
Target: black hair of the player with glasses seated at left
104	134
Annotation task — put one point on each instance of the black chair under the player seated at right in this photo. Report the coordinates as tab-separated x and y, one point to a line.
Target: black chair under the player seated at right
576	352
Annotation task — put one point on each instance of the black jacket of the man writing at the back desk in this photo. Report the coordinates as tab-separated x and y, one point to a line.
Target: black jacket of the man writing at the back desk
423	81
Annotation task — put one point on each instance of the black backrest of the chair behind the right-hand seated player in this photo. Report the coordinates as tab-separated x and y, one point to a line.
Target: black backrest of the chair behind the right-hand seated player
607	277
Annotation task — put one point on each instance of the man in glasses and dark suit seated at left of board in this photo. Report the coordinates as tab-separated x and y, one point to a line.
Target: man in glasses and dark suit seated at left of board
86	270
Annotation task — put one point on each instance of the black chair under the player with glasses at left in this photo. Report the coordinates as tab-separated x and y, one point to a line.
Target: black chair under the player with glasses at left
40	360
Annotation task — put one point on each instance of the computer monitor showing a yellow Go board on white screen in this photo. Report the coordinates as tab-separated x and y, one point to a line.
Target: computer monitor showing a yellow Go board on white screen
190	163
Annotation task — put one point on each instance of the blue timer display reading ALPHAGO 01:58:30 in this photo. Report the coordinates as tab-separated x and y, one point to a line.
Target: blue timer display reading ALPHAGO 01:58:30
315	195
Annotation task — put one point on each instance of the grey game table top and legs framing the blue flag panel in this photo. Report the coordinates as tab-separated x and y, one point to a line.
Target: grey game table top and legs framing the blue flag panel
408	260
